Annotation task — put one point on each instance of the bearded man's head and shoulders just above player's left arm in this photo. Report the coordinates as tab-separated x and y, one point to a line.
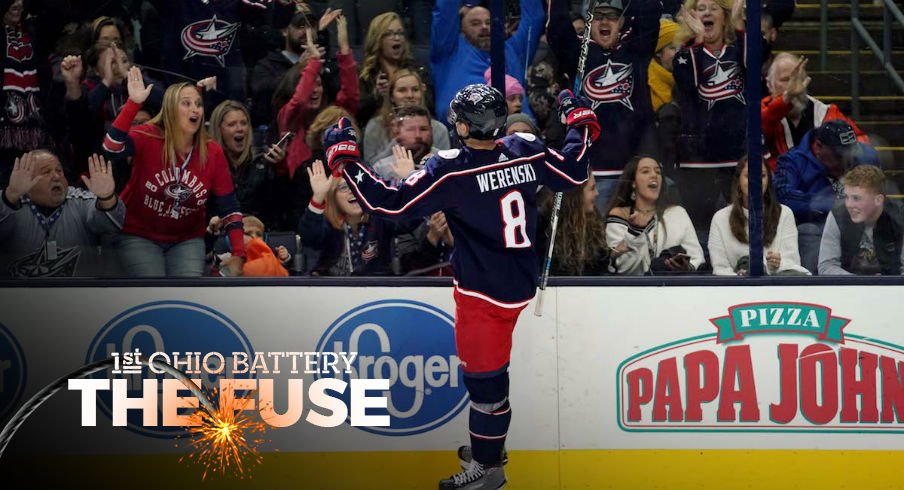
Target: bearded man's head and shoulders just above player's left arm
412	132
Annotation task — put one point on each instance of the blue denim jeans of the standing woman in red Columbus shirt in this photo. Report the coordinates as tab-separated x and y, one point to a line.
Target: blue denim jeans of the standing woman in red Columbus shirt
141	257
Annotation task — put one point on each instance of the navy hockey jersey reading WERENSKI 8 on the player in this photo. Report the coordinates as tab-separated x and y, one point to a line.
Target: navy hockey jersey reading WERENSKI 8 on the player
489	199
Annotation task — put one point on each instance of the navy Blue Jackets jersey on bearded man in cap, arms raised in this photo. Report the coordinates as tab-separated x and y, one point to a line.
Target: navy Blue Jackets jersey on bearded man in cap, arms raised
615	80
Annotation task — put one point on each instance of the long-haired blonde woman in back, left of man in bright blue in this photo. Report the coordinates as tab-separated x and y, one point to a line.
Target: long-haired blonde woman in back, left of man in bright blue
386	50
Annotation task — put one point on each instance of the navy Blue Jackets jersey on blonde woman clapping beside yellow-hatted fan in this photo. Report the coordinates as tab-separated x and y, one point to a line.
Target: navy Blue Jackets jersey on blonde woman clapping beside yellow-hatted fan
714	111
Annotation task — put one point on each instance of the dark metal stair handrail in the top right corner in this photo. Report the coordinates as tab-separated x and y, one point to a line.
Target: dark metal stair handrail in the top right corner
859	33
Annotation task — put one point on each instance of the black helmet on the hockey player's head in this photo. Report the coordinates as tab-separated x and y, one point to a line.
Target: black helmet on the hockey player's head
482	108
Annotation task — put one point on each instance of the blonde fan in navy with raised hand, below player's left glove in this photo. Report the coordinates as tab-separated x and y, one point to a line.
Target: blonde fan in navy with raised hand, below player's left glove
349	241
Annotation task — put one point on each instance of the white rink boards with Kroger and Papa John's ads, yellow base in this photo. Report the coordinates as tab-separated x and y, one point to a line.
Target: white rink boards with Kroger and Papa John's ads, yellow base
613	387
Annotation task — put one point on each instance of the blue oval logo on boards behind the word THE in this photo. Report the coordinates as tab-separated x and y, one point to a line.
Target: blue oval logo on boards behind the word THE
165	326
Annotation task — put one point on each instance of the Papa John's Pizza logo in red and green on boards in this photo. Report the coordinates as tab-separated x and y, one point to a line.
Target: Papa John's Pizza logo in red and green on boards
769	367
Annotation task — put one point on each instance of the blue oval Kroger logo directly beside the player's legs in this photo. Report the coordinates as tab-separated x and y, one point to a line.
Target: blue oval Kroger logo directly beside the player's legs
412	345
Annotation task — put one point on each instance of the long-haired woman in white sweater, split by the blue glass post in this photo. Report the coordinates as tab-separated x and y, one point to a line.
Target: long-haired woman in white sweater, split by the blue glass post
729	249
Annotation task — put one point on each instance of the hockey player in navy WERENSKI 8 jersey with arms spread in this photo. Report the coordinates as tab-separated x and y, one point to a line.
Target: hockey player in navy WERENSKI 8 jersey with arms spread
487	190
